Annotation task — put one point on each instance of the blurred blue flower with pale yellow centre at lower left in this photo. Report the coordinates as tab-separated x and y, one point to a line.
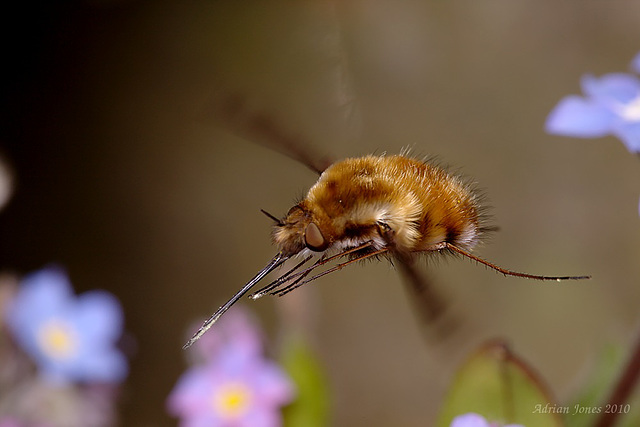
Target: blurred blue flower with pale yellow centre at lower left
71	339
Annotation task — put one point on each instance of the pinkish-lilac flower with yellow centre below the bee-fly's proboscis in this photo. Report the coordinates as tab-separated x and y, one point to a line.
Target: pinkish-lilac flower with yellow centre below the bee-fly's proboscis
235	386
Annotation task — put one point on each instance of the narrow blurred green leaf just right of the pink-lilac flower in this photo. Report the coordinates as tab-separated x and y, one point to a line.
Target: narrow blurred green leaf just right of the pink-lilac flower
311	407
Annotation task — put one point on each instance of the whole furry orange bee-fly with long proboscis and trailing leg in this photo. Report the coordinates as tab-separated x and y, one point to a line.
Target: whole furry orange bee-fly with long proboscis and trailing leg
370	207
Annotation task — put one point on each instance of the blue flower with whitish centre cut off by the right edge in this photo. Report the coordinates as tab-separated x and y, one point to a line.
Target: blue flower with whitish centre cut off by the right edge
611	105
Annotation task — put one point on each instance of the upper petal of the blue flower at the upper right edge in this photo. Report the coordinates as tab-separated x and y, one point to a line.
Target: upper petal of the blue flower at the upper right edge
617	87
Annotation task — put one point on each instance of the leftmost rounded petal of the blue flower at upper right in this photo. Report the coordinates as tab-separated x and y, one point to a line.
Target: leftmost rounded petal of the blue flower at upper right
579	117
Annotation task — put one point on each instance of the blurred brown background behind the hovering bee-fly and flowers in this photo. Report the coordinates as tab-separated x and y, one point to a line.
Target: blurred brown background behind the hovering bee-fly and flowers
123	178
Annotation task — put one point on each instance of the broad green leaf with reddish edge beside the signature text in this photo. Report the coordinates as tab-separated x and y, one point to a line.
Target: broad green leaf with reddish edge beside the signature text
498	385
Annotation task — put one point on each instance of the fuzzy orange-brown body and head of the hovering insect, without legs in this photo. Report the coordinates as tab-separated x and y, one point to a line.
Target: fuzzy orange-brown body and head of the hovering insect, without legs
397	202
